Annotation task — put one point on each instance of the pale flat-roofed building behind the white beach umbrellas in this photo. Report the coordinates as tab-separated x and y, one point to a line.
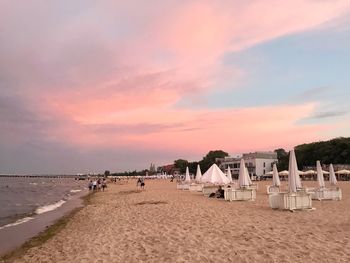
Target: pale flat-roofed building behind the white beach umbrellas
257	163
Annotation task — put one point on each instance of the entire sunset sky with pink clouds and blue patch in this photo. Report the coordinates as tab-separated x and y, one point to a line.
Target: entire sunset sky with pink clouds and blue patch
88	86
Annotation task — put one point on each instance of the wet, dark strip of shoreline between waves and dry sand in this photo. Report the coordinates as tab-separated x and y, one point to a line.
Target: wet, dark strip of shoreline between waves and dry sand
23	236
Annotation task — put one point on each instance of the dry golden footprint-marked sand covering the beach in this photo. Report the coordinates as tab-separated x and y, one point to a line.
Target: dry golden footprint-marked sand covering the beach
162	224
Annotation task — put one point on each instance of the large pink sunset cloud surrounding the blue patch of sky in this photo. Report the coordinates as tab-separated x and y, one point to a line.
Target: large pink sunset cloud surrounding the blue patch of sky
110	74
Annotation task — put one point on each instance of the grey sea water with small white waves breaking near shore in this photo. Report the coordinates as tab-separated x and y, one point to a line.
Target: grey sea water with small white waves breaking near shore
21	198
